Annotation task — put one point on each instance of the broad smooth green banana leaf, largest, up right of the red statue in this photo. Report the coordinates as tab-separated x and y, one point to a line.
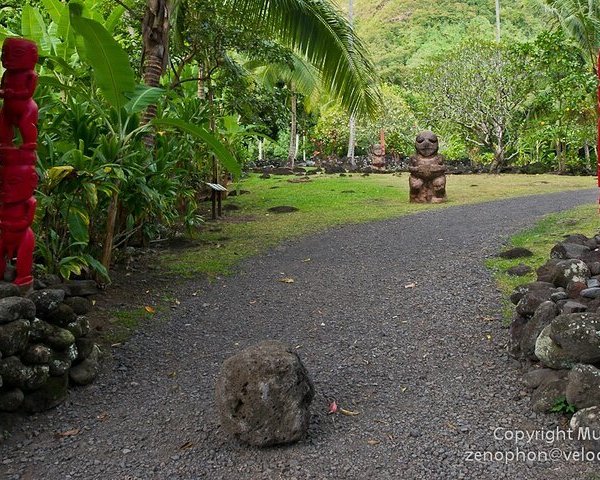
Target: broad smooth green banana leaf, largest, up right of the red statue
112	71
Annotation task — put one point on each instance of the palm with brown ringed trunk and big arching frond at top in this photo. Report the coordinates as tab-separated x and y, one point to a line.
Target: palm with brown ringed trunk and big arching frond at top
314	29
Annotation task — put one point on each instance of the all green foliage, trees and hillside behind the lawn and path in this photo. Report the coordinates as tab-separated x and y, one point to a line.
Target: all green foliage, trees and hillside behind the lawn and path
143	101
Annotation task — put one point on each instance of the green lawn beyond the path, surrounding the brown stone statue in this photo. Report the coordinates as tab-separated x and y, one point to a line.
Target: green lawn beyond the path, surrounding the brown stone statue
329	200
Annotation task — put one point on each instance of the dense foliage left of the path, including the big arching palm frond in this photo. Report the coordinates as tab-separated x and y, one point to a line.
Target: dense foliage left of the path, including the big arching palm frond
100	186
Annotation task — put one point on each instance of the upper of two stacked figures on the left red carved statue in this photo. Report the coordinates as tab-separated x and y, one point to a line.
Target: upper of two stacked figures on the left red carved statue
19	57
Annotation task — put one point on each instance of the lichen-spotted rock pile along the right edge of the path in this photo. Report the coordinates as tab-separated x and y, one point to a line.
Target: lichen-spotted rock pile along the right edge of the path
557	323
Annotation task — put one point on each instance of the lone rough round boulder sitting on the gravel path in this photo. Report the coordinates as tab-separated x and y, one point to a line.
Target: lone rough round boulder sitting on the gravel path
263	395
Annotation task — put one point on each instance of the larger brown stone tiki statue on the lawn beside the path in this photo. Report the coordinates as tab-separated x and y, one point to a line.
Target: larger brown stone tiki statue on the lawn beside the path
427	172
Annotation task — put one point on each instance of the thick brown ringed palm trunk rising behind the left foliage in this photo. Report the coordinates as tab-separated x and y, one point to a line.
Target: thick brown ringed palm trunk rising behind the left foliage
155	37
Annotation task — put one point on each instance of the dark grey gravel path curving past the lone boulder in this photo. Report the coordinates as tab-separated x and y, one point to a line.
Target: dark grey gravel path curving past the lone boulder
416	363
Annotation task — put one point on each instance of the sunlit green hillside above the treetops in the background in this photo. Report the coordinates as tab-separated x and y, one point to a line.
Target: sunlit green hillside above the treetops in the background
403	33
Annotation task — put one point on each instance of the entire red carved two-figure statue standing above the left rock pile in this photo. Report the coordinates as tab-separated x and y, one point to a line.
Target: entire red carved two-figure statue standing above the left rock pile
18	178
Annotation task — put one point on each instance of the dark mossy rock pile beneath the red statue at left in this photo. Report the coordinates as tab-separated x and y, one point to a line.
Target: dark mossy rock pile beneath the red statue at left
43	343
